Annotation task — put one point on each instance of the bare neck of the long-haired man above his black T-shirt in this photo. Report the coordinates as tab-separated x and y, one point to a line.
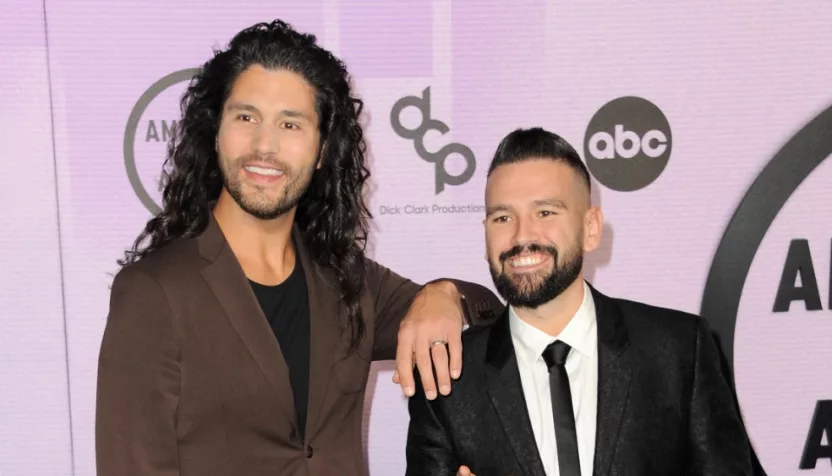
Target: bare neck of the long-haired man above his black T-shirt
263	247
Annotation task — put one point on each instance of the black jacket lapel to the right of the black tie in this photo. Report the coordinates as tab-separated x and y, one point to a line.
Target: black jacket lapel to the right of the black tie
613	379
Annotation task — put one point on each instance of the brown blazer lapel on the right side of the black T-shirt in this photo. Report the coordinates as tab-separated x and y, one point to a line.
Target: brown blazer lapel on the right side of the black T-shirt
324	329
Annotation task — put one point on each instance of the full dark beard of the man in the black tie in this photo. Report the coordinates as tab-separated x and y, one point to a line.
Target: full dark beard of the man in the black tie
531	290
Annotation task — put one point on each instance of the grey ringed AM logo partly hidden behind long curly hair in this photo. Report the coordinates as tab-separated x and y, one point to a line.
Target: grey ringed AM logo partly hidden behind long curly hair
149	128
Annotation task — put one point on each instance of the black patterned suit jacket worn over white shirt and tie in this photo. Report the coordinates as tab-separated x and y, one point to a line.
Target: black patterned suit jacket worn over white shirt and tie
665	405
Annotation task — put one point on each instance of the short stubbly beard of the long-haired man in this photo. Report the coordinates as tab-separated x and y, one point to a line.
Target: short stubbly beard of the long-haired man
257	202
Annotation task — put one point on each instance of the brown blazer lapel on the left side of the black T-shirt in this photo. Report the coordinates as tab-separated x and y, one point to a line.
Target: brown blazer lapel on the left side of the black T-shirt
227	280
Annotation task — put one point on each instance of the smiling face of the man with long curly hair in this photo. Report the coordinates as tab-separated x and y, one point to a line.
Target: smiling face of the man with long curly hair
268	141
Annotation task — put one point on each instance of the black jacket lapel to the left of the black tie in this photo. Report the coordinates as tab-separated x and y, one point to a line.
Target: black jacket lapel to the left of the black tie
506	392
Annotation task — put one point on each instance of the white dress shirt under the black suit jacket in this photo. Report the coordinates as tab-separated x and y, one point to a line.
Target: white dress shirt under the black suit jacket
581	367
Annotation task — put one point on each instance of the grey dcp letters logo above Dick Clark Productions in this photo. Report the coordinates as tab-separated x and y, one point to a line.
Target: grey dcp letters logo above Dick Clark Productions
417	135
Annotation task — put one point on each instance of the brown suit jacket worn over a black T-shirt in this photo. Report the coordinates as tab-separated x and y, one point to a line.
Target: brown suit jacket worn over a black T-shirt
191	380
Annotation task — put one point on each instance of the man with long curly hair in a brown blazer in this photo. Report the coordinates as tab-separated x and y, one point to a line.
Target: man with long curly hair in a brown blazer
245	317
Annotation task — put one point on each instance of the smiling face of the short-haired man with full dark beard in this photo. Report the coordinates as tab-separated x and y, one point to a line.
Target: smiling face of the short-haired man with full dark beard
538	225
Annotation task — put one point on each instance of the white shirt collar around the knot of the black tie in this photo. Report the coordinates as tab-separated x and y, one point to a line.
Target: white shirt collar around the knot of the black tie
579	333
